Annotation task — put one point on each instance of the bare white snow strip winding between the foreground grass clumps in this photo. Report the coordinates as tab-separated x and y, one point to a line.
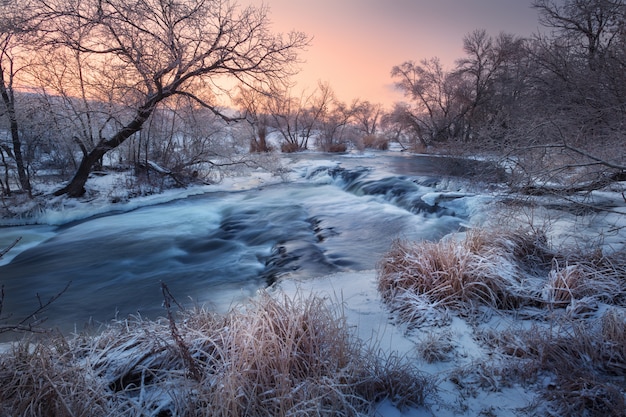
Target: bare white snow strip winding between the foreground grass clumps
366	312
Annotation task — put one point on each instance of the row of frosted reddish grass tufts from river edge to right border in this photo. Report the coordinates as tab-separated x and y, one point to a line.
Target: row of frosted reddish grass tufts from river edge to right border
506	270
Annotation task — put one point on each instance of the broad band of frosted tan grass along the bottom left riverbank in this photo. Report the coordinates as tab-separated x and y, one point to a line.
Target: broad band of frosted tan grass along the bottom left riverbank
275	356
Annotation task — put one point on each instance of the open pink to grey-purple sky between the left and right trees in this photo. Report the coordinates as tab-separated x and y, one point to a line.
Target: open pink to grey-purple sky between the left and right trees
355	43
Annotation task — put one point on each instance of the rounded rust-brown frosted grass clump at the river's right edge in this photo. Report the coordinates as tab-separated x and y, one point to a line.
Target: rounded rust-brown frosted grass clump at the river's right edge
447	273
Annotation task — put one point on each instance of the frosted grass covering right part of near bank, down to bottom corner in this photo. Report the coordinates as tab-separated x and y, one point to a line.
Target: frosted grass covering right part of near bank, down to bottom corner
565	309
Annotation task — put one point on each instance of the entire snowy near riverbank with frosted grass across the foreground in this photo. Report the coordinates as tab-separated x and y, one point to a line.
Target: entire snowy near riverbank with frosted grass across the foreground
326	346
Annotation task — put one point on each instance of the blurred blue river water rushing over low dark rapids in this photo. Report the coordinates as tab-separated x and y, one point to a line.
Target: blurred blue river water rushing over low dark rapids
217	248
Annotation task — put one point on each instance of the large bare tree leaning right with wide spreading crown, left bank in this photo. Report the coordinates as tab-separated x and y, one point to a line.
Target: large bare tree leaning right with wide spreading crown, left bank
149	51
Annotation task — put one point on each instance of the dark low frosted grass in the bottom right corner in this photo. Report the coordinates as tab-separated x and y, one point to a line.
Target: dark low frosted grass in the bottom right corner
586	360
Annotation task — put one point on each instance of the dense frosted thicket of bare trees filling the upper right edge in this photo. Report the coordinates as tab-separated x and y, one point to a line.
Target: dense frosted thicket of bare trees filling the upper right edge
571	132
